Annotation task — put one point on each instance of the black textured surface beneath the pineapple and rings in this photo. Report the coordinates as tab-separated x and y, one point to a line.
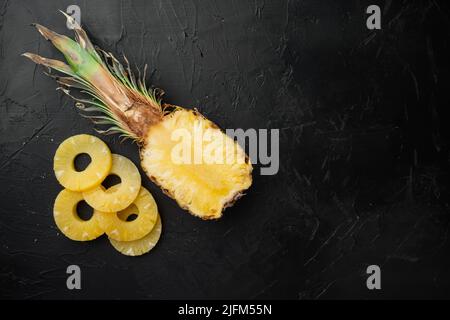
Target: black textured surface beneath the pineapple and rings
364	142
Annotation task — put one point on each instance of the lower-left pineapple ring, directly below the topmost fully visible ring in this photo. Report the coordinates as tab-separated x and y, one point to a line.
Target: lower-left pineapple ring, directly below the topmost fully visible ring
68	221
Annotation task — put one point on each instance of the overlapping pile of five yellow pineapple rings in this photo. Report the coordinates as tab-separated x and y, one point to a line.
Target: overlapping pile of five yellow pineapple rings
112	207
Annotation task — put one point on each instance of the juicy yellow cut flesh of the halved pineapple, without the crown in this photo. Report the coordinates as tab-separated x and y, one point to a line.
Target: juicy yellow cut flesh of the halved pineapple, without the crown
203	189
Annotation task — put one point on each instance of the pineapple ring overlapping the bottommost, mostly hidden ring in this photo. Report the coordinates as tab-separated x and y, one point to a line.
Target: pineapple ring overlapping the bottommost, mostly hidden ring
118	229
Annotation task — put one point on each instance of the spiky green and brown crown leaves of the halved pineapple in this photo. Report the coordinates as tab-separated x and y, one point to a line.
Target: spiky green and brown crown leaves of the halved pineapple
85	65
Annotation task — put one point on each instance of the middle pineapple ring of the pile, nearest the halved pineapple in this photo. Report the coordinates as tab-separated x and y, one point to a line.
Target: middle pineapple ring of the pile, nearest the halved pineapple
116	199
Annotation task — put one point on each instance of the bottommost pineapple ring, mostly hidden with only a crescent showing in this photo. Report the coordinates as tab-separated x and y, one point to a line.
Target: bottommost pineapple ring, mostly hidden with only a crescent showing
140	246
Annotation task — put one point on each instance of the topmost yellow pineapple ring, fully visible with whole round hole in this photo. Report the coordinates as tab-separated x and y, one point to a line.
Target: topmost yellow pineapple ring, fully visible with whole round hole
95	172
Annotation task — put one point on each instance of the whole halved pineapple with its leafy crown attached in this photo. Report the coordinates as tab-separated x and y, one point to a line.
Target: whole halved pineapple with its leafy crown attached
204	188
